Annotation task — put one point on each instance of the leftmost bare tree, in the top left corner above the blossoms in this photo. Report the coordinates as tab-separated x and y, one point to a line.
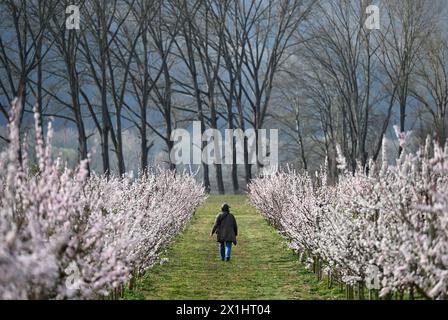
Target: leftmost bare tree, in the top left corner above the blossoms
22	49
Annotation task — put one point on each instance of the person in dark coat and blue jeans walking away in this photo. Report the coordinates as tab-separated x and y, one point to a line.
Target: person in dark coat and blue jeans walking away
226	231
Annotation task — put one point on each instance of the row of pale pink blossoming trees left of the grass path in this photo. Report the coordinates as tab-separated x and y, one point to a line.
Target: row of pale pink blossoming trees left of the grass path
64	234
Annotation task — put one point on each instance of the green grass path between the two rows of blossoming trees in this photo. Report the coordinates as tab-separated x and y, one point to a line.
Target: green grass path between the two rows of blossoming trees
262	267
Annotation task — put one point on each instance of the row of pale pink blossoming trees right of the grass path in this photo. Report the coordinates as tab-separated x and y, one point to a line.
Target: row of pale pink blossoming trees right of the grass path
393	219
